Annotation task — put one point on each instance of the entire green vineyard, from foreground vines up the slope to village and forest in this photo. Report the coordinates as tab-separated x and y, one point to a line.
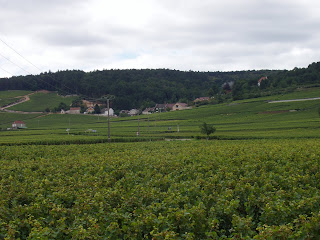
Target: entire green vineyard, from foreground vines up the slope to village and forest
257	178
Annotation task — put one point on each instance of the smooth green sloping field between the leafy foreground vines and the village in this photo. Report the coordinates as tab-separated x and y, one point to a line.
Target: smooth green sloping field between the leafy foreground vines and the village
251	119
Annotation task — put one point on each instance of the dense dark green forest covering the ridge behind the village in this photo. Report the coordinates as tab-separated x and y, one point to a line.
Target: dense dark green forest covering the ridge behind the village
145	87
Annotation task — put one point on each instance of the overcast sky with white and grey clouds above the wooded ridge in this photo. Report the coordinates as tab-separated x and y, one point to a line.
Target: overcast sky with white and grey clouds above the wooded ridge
199	35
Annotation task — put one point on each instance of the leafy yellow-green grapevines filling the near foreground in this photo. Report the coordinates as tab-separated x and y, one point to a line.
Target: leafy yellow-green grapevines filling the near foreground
250	189
